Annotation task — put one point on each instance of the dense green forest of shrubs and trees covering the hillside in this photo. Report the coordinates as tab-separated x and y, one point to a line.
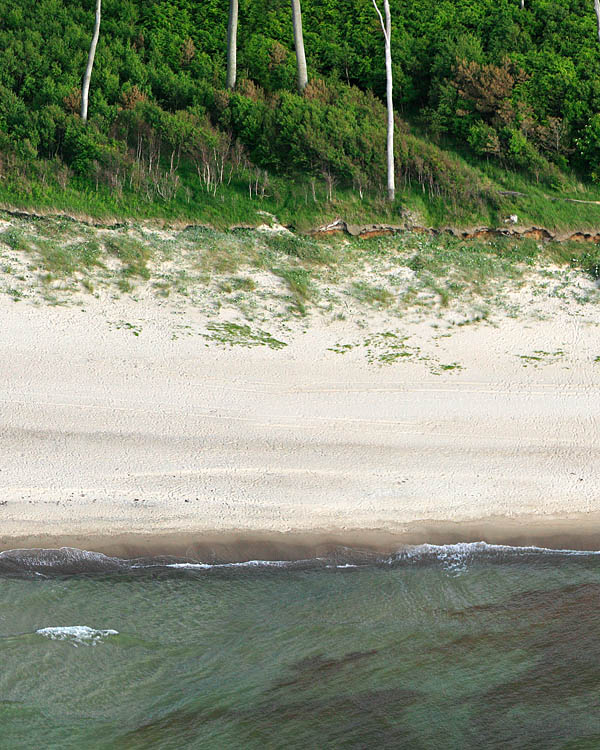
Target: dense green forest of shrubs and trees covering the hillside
479	85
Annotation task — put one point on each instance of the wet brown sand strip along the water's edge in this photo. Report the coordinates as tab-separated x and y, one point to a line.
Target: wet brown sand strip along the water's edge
579	532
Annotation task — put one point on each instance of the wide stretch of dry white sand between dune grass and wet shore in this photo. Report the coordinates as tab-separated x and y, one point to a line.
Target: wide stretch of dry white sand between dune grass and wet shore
105	432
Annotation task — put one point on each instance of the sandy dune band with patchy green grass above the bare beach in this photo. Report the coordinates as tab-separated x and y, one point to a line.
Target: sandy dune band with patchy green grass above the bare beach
293	273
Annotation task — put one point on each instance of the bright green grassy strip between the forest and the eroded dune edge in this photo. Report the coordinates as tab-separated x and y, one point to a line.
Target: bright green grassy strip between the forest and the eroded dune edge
297	205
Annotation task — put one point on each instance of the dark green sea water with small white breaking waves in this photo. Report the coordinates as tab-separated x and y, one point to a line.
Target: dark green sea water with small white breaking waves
459	647
